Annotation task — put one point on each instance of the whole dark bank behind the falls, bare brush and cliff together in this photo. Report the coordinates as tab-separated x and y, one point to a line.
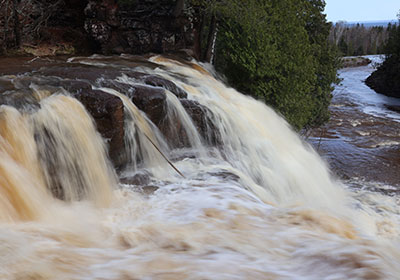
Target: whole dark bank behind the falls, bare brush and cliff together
50	27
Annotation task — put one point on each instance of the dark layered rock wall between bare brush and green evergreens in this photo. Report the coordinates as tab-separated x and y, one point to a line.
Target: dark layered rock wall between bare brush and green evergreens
140	26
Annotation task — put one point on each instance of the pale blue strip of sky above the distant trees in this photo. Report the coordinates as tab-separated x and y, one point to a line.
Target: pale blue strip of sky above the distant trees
361	10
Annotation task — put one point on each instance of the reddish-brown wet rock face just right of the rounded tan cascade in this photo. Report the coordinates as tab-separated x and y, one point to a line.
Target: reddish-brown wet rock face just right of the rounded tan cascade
107	111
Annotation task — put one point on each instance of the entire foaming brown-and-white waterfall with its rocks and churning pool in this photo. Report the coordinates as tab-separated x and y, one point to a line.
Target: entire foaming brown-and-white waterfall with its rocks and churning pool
216	186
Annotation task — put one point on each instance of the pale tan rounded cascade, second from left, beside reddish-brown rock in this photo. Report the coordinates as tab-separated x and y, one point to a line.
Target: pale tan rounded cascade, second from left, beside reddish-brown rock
71	153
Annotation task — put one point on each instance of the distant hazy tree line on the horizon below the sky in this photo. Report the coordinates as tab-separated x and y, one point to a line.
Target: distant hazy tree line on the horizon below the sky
359	40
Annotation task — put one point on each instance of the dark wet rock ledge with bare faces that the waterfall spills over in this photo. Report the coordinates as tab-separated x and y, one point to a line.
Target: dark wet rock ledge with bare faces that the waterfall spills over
148	93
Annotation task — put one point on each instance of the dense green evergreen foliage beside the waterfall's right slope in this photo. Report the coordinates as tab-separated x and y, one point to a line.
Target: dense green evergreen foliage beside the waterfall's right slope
277	51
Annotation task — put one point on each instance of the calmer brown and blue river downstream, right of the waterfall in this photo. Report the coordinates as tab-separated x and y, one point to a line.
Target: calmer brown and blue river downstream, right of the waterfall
361	141
